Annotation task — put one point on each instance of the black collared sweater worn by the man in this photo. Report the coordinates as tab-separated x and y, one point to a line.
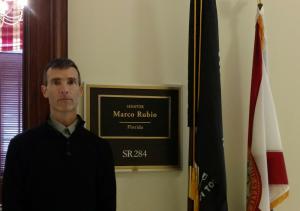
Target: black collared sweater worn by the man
45	171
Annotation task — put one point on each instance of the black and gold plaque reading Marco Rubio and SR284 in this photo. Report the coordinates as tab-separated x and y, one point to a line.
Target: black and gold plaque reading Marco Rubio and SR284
141	124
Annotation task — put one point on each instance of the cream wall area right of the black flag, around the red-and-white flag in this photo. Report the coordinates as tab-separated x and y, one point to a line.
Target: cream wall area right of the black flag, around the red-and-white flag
236	26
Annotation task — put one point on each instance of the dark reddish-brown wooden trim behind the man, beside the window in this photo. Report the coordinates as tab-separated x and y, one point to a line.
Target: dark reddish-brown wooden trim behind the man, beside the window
45	38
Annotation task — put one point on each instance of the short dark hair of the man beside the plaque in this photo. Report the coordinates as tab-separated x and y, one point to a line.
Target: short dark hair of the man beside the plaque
61	64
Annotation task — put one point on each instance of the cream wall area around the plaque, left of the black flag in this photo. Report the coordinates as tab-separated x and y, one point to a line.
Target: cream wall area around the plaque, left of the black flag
136	42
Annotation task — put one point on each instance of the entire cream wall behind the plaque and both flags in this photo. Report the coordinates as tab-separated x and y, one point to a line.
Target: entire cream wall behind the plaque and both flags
145	42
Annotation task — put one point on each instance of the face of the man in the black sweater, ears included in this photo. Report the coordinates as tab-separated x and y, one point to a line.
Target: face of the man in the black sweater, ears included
62	90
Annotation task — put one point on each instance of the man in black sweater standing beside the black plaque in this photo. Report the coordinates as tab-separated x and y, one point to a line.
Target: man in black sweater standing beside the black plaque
59	166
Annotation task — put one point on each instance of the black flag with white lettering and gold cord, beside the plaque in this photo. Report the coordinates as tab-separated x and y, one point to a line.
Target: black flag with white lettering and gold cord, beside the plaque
207	179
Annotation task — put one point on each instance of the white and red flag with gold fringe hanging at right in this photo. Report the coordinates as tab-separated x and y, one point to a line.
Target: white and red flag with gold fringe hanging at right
267	178
